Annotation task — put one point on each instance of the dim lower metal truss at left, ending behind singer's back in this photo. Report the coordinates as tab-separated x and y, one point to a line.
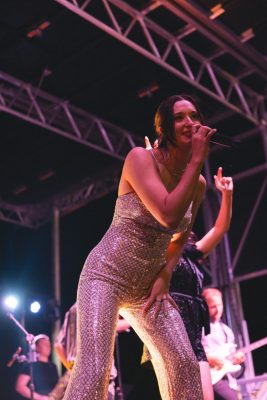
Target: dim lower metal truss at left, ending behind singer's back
35	215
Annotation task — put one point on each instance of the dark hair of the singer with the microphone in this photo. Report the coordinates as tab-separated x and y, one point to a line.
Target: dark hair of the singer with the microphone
164	122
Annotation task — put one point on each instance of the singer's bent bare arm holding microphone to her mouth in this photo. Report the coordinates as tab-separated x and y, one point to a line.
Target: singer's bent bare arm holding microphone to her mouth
140	173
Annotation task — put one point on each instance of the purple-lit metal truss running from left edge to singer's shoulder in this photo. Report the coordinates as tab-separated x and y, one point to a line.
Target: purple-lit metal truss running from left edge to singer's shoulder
35	106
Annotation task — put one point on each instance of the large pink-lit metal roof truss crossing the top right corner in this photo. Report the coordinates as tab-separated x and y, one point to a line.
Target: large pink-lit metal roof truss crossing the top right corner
135	29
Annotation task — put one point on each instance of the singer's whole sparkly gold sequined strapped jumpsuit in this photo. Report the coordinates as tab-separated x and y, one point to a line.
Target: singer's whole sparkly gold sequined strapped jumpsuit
115	279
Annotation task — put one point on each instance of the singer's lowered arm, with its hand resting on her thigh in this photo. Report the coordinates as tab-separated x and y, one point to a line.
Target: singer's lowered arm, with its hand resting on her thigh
160	287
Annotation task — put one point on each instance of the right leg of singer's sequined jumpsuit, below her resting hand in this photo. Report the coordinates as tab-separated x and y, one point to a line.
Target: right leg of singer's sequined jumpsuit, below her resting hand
174	361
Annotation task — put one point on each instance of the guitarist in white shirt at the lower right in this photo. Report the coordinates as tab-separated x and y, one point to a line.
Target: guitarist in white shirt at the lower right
221	336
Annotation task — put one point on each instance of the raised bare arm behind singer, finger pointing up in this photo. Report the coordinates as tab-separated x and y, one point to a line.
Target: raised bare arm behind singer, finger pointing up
222	223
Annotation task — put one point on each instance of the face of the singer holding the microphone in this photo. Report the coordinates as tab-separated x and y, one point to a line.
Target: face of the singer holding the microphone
185	117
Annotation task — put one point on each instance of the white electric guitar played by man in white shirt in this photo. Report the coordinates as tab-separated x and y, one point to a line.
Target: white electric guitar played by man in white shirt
226	352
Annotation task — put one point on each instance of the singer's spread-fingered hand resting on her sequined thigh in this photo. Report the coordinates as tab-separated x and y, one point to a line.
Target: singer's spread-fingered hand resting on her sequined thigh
160	294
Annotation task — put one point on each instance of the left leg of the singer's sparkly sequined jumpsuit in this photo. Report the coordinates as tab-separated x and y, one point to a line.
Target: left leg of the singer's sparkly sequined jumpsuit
97	307
